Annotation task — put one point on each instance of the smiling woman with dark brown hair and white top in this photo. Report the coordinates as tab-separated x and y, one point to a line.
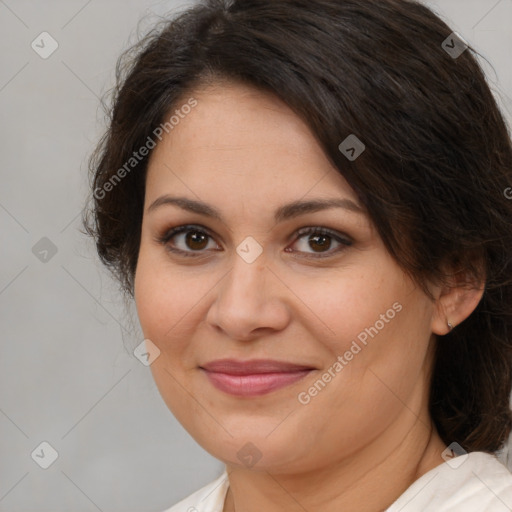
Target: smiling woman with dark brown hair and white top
306	200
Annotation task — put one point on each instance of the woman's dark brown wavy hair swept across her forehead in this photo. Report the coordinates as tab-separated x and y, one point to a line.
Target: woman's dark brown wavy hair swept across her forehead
434	176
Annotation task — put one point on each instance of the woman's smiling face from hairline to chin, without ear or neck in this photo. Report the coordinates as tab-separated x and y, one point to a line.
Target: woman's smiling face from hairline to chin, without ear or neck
266	272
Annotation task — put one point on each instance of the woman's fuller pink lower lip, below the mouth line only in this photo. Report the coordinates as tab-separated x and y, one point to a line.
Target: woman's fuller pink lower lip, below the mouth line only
256	384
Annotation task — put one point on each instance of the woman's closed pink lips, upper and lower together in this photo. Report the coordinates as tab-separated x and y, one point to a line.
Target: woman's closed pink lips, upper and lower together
253	378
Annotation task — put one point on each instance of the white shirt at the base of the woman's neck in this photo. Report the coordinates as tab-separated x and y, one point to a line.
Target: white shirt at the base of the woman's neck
476	482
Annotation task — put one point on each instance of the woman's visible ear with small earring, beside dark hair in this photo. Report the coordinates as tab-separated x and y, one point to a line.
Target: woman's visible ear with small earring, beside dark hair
455	301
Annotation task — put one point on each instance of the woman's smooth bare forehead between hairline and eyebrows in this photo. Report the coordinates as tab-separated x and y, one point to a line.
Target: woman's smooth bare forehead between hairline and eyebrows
240	140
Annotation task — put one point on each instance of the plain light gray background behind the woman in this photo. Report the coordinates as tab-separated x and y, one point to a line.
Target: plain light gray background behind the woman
67	375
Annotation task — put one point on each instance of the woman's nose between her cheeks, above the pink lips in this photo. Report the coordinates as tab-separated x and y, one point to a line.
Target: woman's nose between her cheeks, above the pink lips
250	302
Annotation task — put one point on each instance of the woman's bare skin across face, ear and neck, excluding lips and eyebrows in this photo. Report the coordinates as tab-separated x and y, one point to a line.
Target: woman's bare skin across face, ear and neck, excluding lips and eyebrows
363	439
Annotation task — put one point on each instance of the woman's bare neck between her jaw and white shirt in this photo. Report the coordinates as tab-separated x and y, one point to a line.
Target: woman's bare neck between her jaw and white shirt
369	480
